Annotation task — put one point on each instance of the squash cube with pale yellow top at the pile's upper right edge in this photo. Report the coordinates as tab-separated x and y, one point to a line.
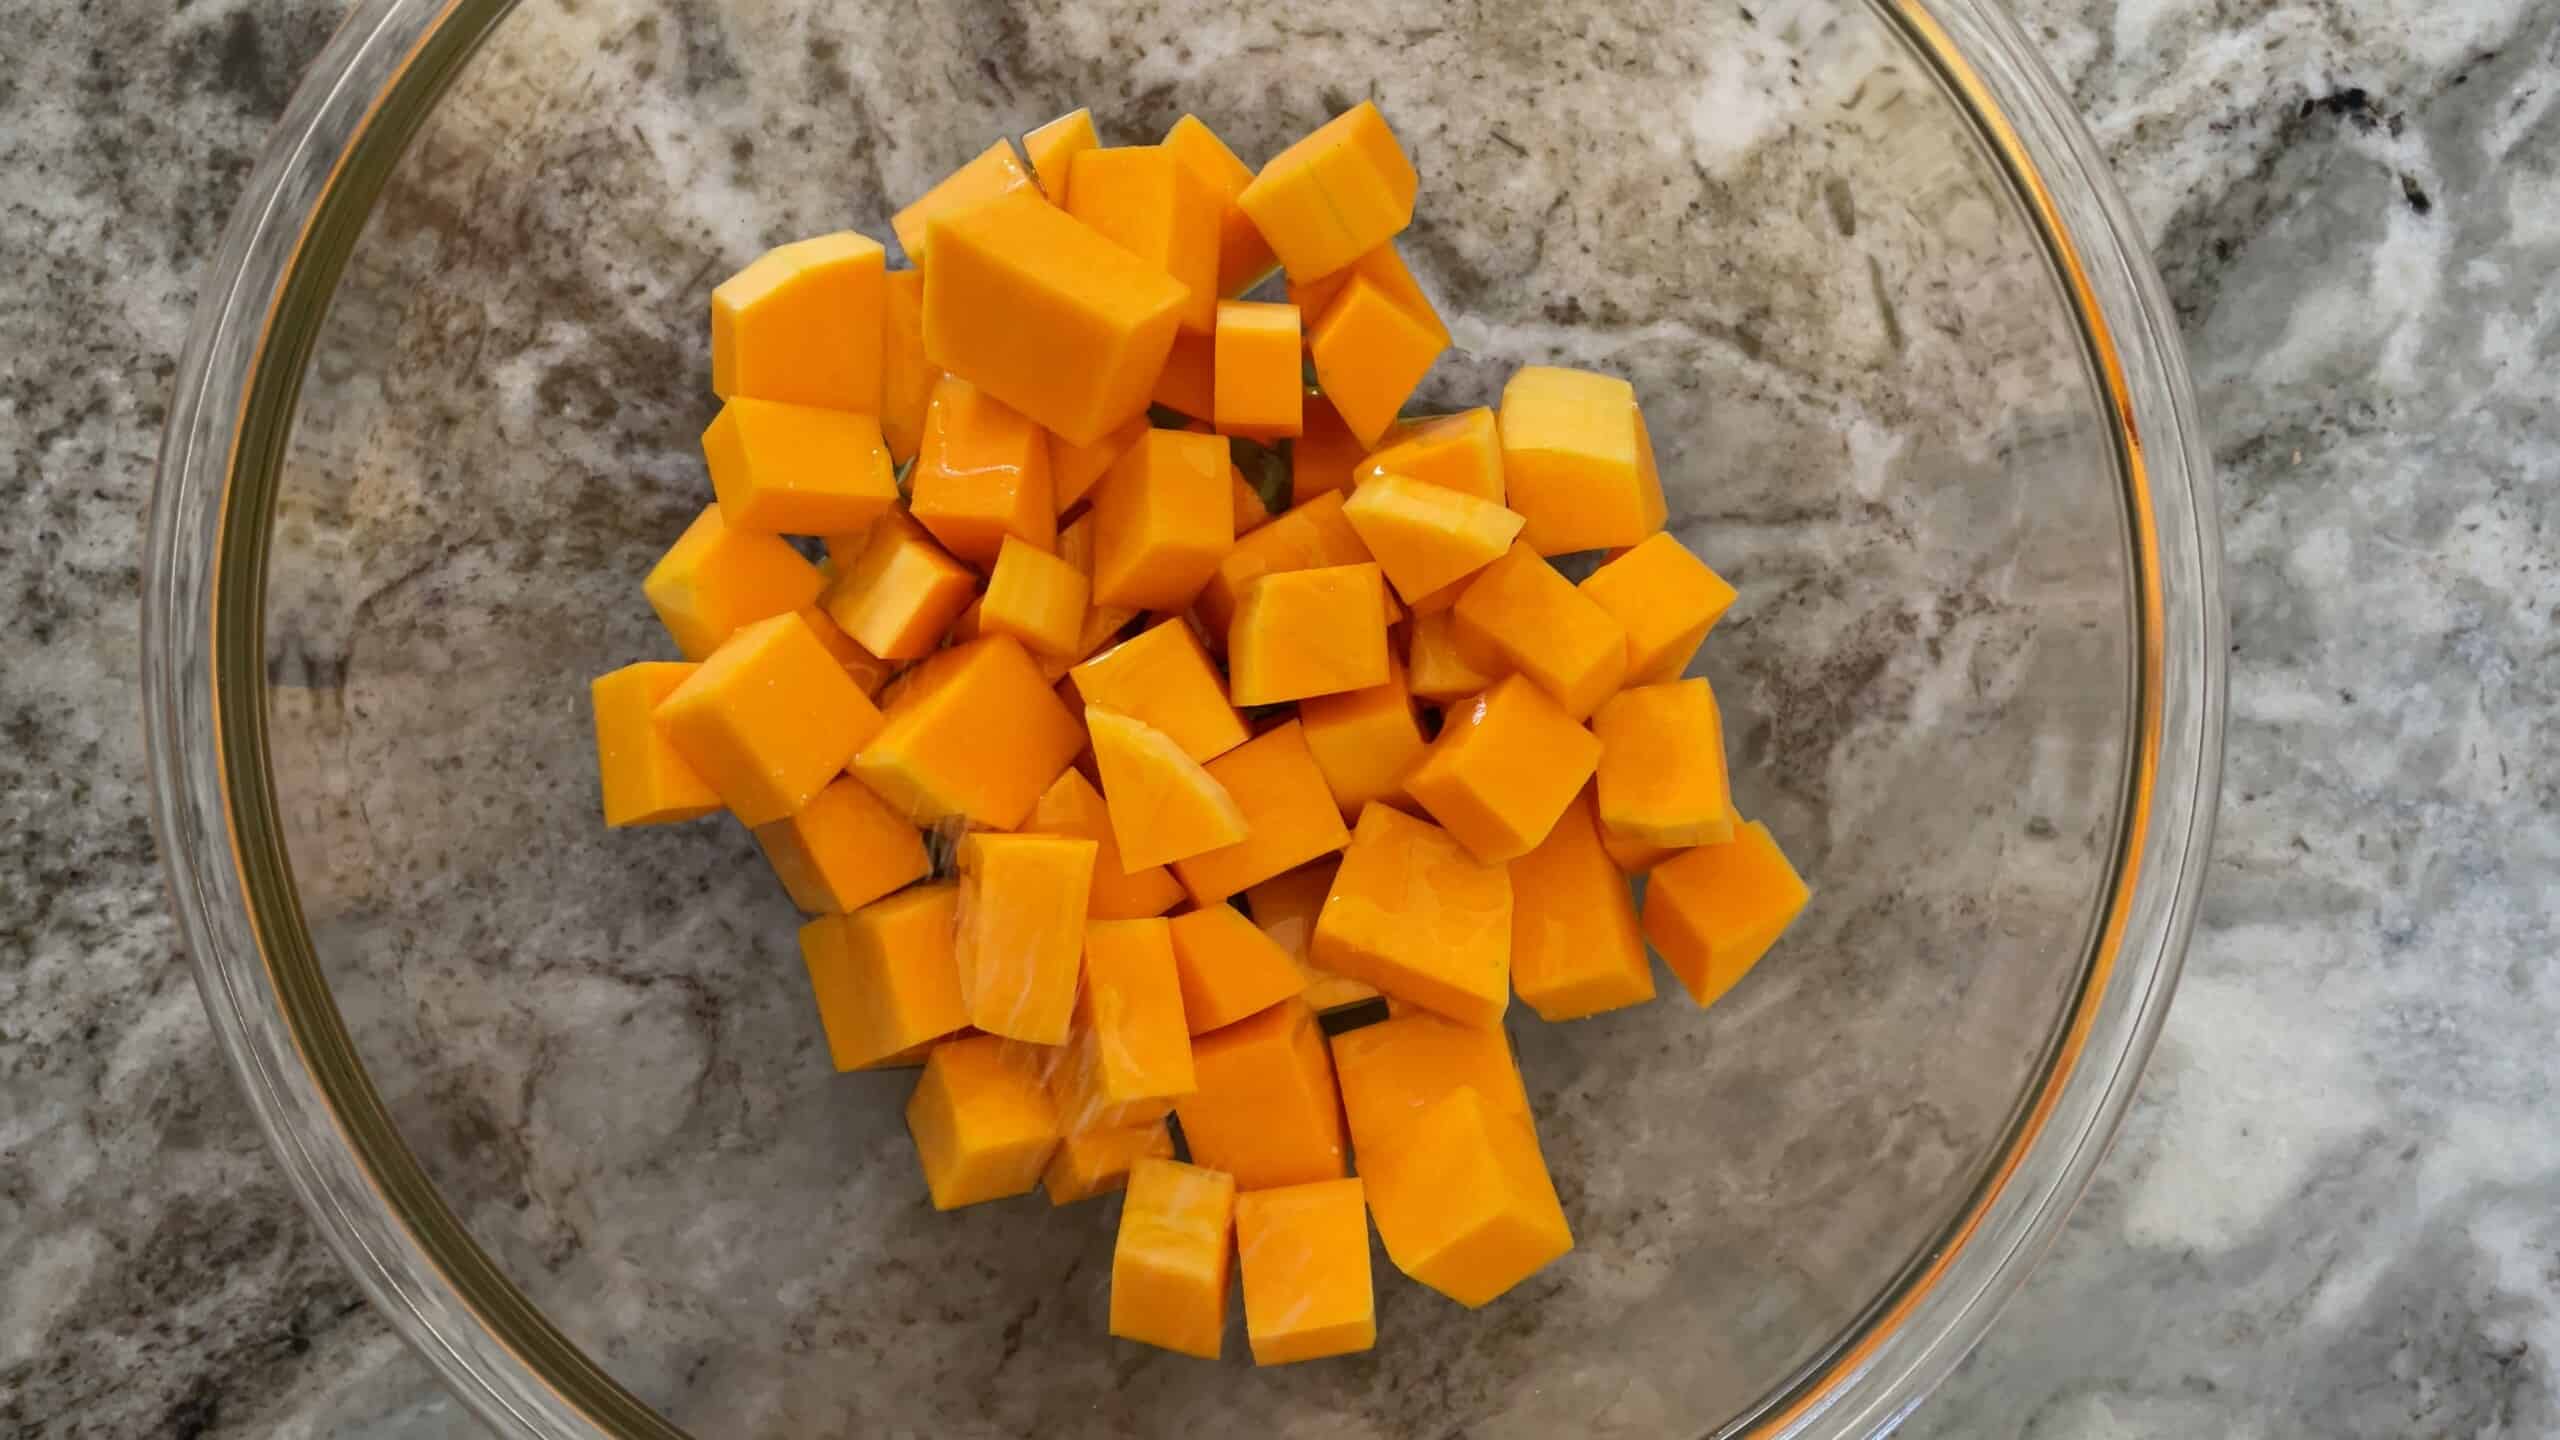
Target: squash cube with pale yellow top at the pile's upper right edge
1578	462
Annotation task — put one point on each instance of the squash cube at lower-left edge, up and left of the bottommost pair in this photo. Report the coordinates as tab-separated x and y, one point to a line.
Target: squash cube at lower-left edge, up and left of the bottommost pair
982	1121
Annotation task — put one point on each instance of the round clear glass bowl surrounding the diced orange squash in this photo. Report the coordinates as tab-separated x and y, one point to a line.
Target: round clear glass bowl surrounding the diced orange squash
559	1098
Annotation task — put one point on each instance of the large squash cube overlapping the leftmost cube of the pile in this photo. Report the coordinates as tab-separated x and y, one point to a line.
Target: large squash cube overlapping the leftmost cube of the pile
769	719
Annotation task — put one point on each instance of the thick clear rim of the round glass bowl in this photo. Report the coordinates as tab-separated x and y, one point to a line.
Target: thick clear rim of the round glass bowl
273	1013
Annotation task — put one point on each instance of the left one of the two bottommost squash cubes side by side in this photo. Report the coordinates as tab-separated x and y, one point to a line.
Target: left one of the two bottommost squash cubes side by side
1171	1259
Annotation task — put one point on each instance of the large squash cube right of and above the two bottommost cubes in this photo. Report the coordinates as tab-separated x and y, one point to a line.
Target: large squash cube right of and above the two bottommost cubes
1466	1203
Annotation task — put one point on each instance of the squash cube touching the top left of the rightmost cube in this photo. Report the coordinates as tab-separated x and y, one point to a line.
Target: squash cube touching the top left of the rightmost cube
1663	765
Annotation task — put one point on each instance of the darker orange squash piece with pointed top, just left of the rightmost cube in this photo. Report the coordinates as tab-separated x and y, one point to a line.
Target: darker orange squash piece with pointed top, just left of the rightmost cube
1576	947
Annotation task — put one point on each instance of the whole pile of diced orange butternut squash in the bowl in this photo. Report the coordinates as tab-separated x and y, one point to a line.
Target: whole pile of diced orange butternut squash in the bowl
1125	788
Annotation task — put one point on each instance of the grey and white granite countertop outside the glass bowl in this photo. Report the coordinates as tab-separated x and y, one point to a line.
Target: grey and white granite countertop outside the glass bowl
2336	1208
